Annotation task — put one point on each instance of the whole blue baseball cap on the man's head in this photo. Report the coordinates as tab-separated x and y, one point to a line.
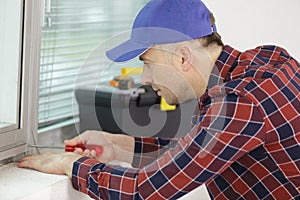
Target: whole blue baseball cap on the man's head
162	22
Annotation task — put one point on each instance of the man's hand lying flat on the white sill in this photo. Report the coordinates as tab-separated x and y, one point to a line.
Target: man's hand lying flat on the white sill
51	163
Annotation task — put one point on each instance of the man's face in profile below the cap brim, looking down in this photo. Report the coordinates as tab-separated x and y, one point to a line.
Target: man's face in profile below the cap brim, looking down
162	69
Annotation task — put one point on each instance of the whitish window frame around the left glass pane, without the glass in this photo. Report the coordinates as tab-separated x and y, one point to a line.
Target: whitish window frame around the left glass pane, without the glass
13	142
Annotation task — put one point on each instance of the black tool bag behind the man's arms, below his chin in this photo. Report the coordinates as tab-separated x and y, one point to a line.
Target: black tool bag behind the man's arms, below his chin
134	112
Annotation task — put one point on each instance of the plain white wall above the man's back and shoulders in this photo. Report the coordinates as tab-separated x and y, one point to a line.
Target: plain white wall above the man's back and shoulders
247	24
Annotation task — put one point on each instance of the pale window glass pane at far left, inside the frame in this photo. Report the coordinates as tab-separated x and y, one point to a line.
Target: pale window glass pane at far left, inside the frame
10	11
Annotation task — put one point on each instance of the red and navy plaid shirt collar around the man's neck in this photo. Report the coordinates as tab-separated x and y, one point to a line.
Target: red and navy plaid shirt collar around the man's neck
225	64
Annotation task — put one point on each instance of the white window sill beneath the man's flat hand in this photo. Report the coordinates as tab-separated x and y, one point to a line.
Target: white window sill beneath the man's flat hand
25	184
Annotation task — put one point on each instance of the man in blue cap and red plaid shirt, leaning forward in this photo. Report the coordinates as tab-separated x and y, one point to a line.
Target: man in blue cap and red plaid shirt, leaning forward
246	140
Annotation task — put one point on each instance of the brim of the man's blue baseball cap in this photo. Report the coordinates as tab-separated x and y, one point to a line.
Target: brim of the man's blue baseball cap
127	51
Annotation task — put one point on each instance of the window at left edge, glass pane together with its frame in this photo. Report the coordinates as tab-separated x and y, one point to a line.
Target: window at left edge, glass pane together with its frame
19	53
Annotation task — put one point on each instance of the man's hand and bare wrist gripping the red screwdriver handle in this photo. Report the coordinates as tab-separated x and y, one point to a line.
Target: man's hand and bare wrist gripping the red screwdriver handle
115	146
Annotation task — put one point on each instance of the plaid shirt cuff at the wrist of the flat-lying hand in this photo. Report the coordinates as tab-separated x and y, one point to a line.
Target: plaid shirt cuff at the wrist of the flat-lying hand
80	172
